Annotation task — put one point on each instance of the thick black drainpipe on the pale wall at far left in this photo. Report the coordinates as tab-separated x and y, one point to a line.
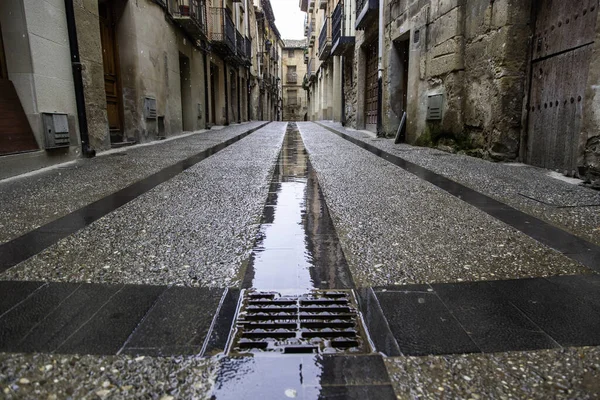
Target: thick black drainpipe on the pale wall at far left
86	151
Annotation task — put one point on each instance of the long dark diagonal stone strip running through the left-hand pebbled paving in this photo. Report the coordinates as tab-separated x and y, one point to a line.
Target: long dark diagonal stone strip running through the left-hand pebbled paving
32	243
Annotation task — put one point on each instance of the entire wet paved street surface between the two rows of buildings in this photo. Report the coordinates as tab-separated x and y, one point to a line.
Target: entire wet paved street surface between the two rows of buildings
297	260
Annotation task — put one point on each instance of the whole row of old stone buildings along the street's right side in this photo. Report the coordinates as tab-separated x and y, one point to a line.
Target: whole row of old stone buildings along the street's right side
502	79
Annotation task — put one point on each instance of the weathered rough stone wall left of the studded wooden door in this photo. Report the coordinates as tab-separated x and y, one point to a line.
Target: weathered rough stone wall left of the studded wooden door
474	53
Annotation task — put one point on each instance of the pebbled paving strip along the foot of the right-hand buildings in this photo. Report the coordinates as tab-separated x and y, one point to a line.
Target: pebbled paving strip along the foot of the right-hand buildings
530	189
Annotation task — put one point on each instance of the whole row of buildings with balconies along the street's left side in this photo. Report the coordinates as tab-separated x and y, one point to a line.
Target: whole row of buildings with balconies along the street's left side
106	73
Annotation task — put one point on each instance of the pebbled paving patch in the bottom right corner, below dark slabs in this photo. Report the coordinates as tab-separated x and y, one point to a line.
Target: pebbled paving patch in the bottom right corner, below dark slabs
572	373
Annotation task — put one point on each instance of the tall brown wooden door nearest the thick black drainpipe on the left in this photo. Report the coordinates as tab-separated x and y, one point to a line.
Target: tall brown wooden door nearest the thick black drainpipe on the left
111	71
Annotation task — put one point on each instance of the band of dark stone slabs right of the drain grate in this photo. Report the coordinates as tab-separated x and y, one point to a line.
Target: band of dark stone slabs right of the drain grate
493	316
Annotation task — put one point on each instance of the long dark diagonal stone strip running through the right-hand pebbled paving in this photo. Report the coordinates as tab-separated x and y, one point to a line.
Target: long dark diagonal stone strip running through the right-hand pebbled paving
571	246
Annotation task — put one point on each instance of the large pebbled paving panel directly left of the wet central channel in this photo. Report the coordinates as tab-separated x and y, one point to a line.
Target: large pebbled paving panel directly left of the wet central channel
196	229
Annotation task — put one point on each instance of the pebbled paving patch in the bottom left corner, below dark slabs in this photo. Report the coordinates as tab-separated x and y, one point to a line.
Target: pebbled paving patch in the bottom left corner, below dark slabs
55	376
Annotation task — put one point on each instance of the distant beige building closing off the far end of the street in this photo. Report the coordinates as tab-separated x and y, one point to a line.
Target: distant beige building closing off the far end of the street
294	70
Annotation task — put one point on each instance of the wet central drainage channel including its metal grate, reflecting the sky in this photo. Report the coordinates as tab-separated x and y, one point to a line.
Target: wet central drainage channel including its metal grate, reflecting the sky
297	330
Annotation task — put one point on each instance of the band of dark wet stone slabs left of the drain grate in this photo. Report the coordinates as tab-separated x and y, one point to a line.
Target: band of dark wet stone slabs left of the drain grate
108	319
